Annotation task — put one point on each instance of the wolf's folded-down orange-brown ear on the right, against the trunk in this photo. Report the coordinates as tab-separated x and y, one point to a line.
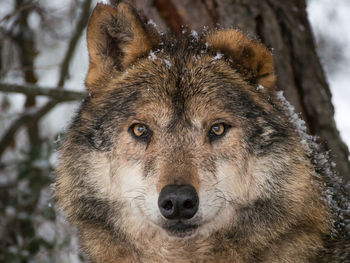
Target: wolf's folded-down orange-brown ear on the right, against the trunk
251	58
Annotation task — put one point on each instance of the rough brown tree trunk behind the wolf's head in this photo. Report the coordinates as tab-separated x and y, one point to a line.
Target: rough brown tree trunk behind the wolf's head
283	27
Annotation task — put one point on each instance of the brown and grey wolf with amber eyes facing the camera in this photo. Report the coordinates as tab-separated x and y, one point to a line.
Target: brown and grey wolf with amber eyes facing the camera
182	152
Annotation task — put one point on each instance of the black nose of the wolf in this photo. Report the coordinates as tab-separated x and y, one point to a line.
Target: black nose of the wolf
178	201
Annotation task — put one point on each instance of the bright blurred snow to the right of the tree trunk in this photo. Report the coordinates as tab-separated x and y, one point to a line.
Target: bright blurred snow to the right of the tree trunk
331	24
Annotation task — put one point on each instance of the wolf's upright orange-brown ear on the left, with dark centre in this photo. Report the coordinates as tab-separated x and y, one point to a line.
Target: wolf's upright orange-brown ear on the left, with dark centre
116	37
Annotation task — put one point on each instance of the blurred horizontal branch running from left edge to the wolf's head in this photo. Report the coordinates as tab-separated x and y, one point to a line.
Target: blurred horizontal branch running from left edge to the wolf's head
59	95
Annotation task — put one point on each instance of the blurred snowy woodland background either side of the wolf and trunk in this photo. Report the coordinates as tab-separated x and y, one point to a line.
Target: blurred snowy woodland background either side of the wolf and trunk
43	62
